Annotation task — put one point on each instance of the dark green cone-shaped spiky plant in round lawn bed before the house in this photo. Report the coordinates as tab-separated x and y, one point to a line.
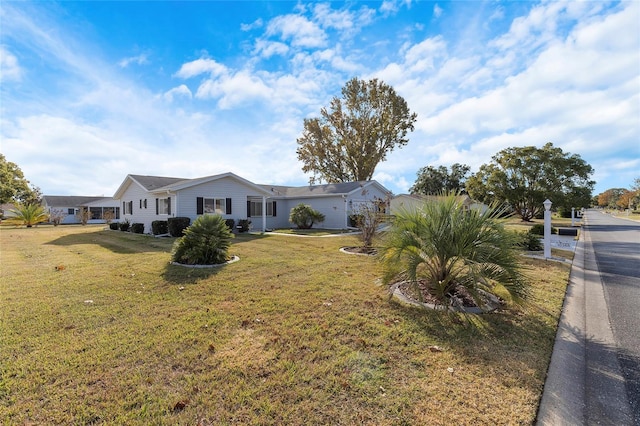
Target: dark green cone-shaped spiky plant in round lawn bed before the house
206	242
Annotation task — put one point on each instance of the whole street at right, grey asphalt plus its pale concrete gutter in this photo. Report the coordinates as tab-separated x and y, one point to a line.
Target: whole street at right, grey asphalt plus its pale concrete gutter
594	374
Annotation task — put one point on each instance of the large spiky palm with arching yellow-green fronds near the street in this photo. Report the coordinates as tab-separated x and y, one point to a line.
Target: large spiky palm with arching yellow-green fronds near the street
442	247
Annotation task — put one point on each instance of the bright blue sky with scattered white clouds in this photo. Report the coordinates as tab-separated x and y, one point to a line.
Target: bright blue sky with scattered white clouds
93	91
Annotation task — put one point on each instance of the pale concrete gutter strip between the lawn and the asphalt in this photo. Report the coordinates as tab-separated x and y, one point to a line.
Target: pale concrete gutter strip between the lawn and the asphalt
584	382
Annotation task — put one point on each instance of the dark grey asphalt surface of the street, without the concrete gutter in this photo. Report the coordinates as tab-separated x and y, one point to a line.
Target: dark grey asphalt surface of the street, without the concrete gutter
616	245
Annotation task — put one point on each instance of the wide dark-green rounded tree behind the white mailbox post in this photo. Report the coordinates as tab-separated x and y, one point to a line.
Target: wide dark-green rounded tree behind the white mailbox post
524	177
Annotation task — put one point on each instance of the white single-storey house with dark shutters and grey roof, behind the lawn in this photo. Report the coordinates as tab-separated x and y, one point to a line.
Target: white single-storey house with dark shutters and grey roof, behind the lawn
144	199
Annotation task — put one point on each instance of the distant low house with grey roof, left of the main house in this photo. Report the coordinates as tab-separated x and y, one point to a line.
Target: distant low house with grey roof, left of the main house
69	206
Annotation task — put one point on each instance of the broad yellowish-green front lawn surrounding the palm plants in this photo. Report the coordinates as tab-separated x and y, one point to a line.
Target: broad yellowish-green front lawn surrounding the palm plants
97	327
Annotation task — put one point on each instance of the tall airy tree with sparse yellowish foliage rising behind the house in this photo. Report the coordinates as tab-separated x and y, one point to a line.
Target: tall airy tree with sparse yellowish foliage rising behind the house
355	133
